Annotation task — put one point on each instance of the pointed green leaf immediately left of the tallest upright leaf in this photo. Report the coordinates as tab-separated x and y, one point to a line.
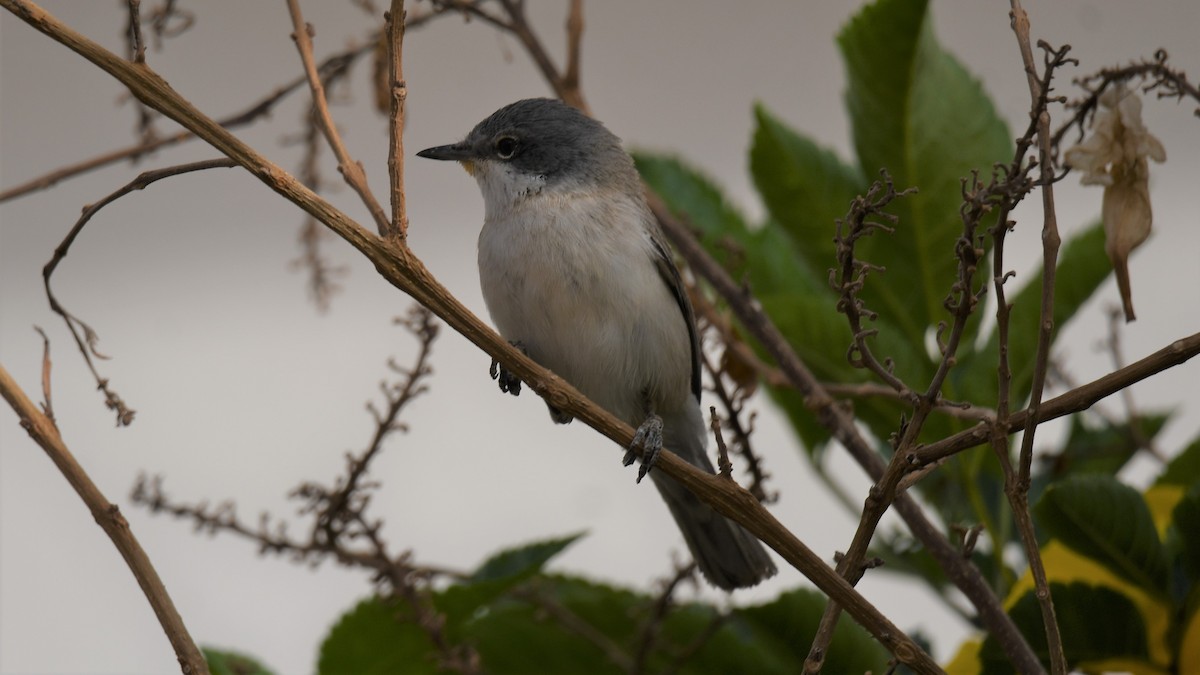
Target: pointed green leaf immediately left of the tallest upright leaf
806	188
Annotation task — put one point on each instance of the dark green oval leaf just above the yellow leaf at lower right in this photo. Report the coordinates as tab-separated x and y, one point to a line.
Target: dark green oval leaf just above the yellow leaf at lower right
1108	522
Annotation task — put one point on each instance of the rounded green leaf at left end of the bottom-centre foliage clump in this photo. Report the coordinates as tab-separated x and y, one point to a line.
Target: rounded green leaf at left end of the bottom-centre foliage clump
377	638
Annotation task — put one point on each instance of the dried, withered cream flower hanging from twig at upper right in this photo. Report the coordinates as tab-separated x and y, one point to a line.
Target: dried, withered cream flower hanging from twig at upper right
1117	157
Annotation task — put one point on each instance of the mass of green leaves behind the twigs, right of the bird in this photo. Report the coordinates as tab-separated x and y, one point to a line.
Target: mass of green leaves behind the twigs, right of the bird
917	114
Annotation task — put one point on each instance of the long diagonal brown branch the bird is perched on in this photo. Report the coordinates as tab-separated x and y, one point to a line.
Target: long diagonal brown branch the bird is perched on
401	268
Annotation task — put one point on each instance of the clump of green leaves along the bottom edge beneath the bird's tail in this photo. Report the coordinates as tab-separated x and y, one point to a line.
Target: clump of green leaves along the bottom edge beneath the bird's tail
525	620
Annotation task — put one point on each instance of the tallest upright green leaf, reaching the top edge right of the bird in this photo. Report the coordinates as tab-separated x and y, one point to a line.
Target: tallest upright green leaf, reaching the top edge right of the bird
916	112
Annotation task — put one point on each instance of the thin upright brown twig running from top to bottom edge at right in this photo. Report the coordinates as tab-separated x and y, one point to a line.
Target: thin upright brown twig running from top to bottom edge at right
1018	491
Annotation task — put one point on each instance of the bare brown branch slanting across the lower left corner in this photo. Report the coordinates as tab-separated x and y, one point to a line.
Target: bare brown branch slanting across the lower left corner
110	518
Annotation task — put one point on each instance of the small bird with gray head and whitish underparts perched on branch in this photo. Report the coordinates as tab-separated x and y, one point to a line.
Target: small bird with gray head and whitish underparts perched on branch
575	272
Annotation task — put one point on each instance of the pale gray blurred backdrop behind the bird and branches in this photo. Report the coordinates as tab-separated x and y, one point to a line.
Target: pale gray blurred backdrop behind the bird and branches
243	391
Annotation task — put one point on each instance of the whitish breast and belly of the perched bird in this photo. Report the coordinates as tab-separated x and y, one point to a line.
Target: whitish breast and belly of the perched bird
572	277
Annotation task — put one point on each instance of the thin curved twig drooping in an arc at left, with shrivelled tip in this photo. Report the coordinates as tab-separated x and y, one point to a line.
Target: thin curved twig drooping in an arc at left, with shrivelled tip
88	339
